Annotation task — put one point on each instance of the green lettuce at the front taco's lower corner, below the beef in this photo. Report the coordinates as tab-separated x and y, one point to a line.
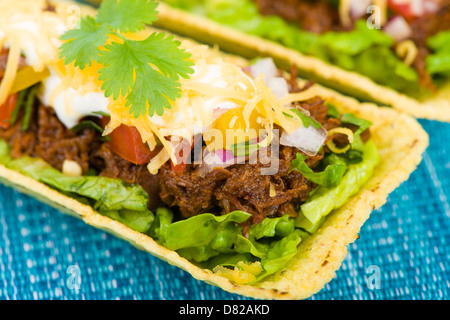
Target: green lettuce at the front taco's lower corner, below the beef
218	240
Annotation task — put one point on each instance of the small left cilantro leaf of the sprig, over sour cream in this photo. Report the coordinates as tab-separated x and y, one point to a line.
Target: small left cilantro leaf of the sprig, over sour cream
83	43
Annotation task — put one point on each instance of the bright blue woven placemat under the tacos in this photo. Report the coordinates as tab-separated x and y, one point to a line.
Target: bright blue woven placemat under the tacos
403	251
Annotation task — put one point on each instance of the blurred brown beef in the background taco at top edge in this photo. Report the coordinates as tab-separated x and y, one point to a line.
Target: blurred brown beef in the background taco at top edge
314	16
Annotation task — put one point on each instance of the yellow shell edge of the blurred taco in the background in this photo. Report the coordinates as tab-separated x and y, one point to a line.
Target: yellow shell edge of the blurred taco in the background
350	83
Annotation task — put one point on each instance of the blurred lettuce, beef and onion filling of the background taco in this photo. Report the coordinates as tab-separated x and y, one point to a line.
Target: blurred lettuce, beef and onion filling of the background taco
399	44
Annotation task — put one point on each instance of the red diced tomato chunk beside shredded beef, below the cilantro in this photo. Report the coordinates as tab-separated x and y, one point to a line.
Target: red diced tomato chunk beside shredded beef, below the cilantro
126	142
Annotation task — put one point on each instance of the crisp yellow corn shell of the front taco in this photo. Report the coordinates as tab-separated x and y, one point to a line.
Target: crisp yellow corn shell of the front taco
400	141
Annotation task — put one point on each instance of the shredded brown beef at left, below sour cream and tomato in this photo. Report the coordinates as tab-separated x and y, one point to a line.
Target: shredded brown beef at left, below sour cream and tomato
47	138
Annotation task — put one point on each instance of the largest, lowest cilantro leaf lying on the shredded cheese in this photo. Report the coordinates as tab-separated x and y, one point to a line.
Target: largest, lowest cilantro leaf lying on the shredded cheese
149	72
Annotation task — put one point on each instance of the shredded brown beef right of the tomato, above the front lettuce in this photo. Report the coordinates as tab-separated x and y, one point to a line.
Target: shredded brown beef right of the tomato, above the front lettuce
239	187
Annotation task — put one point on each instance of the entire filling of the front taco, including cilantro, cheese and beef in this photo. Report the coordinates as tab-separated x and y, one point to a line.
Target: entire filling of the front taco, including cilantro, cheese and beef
232	171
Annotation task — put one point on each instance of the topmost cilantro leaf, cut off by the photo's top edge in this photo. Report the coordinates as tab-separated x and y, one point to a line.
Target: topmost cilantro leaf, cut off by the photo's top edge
127	15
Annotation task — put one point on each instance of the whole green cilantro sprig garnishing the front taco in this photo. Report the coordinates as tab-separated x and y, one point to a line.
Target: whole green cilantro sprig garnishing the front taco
147	72
